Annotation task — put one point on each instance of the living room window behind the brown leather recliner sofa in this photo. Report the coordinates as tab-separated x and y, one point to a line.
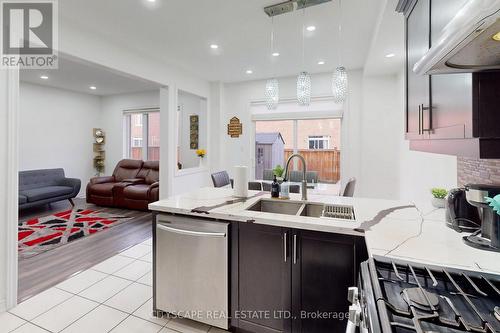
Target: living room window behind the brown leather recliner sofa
142	142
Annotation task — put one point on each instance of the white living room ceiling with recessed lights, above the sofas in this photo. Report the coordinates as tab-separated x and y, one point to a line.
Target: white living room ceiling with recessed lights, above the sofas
76	75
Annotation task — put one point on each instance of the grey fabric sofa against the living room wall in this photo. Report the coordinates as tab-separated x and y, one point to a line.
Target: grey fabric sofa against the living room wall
39	187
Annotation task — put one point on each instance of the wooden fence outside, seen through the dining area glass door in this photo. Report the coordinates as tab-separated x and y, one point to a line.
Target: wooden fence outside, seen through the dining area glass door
325	161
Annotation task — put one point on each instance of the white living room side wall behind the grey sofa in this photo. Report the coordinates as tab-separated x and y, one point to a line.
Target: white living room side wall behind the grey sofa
55	130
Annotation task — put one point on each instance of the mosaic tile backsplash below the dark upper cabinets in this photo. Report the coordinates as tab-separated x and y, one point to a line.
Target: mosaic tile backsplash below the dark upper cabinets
478	171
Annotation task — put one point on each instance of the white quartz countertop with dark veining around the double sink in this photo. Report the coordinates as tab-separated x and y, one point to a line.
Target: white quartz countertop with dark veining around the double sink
399	230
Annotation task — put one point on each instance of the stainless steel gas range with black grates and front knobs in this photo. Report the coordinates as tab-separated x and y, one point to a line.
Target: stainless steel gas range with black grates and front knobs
402	297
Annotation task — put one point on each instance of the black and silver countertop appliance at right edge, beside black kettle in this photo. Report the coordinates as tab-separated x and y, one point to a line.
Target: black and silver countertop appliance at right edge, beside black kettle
488	237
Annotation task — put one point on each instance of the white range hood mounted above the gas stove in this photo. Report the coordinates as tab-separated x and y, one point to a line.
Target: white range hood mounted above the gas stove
469	43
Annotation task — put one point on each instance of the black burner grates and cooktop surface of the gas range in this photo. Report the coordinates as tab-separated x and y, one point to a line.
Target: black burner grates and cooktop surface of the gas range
431	305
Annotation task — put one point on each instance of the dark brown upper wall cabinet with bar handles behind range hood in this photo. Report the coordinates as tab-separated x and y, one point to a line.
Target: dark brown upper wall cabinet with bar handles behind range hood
455	114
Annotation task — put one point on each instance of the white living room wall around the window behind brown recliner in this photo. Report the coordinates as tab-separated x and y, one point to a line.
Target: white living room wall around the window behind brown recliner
112	108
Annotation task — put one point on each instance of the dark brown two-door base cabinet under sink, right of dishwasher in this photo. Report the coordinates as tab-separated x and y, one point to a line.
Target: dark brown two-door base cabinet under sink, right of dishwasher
288	280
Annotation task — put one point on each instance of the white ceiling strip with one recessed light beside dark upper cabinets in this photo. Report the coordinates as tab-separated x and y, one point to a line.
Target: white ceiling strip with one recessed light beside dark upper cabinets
388	39
